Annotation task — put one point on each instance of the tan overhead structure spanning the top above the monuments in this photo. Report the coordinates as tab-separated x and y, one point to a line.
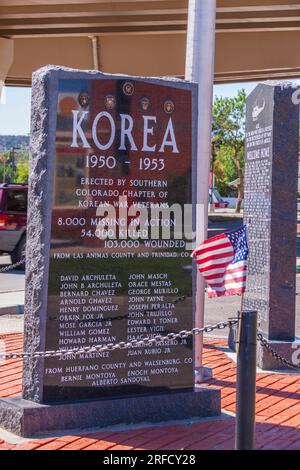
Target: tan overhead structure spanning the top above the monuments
255	39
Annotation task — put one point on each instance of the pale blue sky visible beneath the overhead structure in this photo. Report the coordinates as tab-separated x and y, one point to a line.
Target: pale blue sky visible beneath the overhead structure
15	106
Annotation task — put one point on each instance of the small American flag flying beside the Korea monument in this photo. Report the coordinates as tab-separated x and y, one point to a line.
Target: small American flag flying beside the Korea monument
222	260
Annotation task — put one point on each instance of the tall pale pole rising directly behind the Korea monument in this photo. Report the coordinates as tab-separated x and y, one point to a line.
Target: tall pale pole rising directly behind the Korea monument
200	54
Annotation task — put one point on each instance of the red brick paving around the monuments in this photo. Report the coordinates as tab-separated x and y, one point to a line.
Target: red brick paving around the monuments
277	413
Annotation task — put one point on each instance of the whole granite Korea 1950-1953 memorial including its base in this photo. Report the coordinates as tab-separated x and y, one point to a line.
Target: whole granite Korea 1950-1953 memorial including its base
105	149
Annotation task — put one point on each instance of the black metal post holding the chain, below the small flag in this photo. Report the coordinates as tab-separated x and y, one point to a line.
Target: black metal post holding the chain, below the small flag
246	382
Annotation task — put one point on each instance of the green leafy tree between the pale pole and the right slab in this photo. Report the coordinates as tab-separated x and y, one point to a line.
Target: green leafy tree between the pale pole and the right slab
229	131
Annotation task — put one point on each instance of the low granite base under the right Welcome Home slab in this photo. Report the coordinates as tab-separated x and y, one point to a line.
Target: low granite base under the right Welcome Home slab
286	349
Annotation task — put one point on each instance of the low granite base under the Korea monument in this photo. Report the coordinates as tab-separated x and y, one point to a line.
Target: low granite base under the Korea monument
28	419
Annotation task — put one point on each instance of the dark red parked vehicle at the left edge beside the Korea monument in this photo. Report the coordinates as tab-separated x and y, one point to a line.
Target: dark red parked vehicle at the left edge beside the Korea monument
13	218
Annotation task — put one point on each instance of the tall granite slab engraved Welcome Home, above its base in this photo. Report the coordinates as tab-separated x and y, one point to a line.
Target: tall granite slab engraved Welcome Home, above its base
270	207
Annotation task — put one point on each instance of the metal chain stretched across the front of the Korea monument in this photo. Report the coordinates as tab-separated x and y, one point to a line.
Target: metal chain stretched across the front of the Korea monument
122	345
